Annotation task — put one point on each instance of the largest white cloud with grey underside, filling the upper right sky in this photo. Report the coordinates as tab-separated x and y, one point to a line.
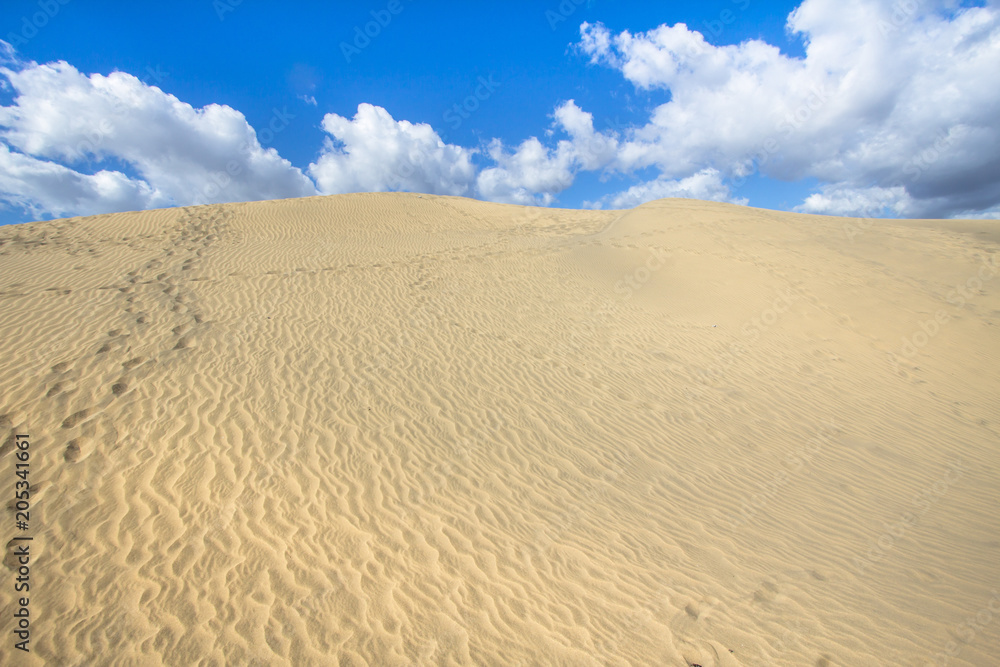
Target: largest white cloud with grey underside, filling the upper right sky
888	105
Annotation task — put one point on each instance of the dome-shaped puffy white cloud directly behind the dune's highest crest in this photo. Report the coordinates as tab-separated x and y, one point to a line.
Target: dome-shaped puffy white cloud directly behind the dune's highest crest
375	153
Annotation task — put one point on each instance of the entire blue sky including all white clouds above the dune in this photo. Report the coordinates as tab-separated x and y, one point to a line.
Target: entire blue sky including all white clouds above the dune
626	104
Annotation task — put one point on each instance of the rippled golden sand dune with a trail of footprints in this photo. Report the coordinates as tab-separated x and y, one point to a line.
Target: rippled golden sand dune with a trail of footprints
393	429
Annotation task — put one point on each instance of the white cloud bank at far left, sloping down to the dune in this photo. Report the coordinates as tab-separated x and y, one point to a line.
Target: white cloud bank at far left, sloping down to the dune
62	123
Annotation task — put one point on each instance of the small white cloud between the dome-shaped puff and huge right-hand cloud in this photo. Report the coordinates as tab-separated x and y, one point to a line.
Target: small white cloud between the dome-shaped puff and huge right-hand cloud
534	174
